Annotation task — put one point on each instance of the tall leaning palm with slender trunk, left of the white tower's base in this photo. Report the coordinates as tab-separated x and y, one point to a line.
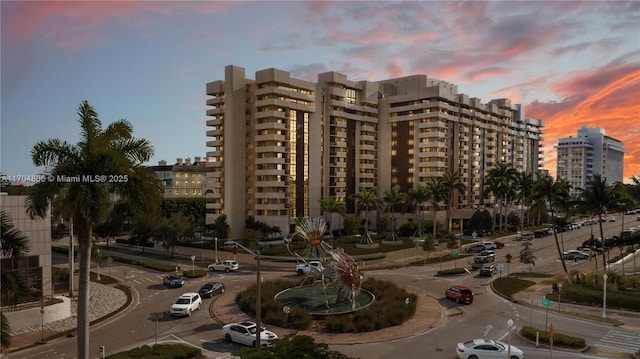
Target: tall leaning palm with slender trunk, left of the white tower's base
548	193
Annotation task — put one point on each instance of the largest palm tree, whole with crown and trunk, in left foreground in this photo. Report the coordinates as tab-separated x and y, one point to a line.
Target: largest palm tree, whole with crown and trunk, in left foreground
103	161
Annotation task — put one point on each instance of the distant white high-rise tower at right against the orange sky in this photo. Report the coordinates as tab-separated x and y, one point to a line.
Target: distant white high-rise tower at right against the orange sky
591	152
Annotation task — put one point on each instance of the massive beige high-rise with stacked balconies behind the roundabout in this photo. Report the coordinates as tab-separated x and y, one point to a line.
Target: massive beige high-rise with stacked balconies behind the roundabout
281	144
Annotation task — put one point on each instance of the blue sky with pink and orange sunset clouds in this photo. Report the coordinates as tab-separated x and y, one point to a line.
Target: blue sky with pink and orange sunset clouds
569	63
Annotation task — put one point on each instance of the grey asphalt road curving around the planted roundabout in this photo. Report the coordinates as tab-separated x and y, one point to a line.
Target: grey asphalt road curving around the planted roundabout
486	317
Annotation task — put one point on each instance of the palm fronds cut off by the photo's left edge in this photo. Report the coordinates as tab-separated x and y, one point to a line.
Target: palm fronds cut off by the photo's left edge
13	244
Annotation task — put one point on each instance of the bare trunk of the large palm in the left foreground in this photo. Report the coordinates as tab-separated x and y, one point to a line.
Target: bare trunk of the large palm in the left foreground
83	295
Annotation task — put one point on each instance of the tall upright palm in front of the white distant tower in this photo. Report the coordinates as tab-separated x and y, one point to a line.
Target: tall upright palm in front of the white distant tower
598	198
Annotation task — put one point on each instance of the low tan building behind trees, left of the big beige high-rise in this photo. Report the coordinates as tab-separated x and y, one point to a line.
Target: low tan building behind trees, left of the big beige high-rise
184	179
